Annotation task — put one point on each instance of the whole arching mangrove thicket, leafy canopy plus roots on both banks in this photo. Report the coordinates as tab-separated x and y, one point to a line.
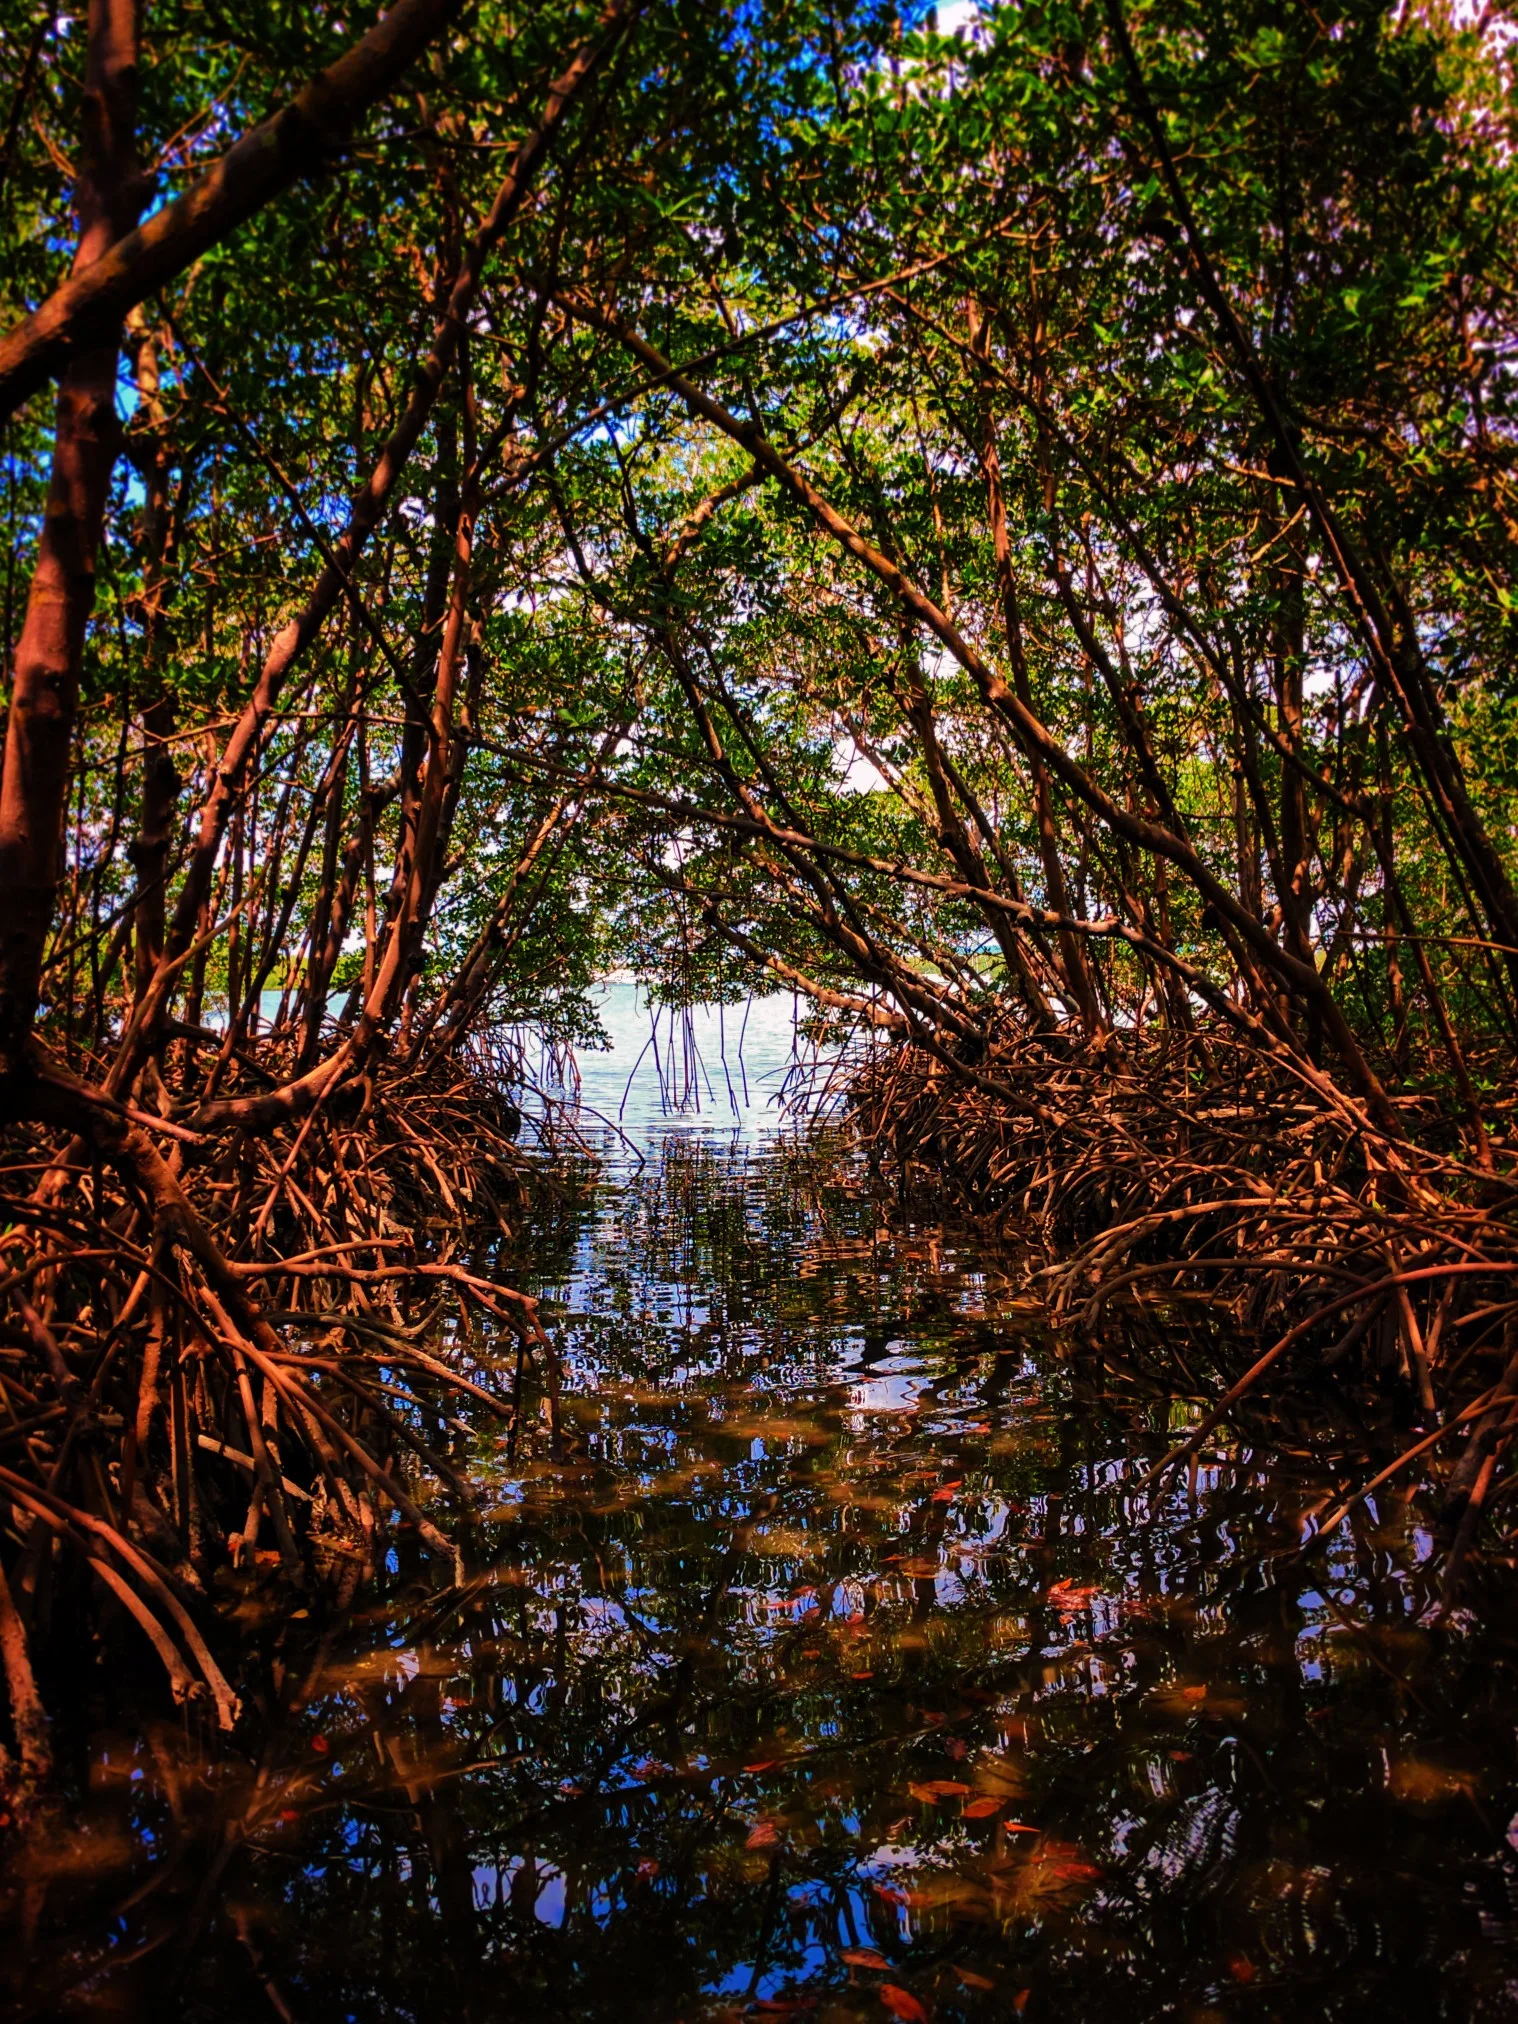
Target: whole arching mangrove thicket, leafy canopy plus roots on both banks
1003	529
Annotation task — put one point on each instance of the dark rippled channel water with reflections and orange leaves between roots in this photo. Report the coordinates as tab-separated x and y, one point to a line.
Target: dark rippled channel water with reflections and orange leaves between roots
821	1663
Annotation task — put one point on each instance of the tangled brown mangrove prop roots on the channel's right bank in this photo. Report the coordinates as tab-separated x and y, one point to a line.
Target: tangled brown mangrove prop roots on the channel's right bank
1175	1177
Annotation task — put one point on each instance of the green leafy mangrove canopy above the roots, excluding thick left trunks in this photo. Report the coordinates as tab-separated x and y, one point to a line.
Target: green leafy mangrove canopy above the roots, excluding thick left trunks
1175	375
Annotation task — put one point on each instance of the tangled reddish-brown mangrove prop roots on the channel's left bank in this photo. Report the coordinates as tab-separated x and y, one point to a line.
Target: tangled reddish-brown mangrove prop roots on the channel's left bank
234	1353
